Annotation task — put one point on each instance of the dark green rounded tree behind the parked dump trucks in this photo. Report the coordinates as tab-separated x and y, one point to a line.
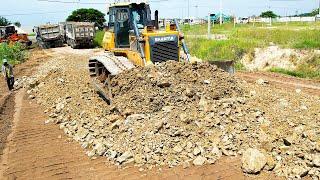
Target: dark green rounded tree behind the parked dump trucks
88	15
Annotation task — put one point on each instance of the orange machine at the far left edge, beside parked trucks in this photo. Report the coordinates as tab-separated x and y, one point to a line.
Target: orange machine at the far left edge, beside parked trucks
10	35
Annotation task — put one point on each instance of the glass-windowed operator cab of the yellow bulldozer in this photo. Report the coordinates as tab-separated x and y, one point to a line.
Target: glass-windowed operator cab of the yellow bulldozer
121	19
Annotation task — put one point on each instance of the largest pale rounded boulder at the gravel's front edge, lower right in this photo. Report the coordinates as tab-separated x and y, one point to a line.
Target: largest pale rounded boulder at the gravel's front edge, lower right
253	161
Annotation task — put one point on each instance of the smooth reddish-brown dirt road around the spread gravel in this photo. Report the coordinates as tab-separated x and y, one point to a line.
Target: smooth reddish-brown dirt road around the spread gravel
35	150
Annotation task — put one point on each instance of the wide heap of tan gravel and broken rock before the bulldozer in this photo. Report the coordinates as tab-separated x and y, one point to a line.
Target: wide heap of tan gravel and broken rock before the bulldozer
173	114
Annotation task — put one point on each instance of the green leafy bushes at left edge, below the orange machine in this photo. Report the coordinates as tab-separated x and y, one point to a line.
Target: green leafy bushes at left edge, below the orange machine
15	54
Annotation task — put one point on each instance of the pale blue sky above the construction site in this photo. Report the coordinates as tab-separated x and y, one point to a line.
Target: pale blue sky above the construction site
34	12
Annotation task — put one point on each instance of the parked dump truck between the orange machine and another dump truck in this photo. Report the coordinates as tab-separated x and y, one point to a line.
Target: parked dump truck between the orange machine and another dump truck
49	36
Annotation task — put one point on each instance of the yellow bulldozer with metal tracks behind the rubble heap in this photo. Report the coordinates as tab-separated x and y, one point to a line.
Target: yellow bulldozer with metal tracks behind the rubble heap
132	39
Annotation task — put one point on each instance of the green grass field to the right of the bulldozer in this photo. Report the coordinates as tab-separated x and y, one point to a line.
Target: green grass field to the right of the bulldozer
244	38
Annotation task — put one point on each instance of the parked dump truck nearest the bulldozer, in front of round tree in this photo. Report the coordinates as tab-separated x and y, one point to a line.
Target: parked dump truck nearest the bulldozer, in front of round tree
80	34
